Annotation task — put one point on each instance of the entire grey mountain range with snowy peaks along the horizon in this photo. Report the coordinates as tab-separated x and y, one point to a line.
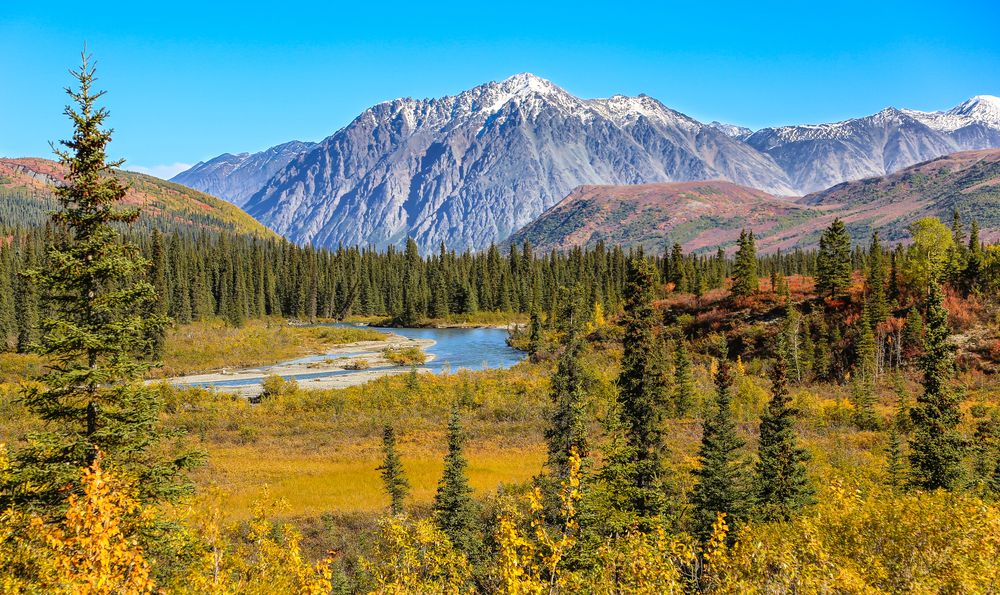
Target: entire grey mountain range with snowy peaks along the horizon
474	168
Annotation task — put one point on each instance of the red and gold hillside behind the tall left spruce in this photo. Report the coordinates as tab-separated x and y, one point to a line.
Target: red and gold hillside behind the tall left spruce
26	196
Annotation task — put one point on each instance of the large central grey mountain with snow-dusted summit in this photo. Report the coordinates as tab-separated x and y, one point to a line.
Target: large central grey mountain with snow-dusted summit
476	167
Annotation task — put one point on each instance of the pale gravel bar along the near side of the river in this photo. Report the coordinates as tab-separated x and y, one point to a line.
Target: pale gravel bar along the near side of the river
348	364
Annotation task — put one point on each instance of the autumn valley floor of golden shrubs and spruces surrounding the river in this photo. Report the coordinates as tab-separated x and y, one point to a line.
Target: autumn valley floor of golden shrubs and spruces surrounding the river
806	422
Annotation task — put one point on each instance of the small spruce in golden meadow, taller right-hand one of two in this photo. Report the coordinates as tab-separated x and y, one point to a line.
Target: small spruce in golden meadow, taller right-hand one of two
454	509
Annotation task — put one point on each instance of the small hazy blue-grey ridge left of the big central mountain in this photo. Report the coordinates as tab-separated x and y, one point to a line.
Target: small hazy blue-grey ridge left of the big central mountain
237	177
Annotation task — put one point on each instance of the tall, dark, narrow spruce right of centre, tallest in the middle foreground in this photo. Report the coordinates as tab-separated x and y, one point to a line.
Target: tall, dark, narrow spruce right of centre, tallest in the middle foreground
642	394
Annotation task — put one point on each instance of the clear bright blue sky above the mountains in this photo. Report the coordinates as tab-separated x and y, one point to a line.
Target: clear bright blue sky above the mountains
187	81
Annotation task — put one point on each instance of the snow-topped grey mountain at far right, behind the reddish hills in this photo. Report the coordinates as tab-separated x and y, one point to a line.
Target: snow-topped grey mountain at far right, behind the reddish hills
817	157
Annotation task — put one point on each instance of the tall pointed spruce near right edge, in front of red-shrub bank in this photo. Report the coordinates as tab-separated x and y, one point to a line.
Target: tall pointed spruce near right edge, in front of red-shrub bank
936	448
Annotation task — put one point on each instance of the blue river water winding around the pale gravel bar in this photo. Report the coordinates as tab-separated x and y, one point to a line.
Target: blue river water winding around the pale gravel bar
455	348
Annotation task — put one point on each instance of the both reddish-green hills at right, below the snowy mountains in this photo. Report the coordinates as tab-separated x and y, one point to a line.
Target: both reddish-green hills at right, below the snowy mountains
702	216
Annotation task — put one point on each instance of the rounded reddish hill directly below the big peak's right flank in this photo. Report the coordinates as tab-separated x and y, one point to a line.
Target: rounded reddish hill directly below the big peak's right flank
698	215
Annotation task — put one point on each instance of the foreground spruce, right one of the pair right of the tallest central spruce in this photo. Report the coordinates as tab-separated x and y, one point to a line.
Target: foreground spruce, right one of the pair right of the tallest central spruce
781	482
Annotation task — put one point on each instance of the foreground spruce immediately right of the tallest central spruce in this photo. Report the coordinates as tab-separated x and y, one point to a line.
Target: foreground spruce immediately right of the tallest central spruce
720	478
